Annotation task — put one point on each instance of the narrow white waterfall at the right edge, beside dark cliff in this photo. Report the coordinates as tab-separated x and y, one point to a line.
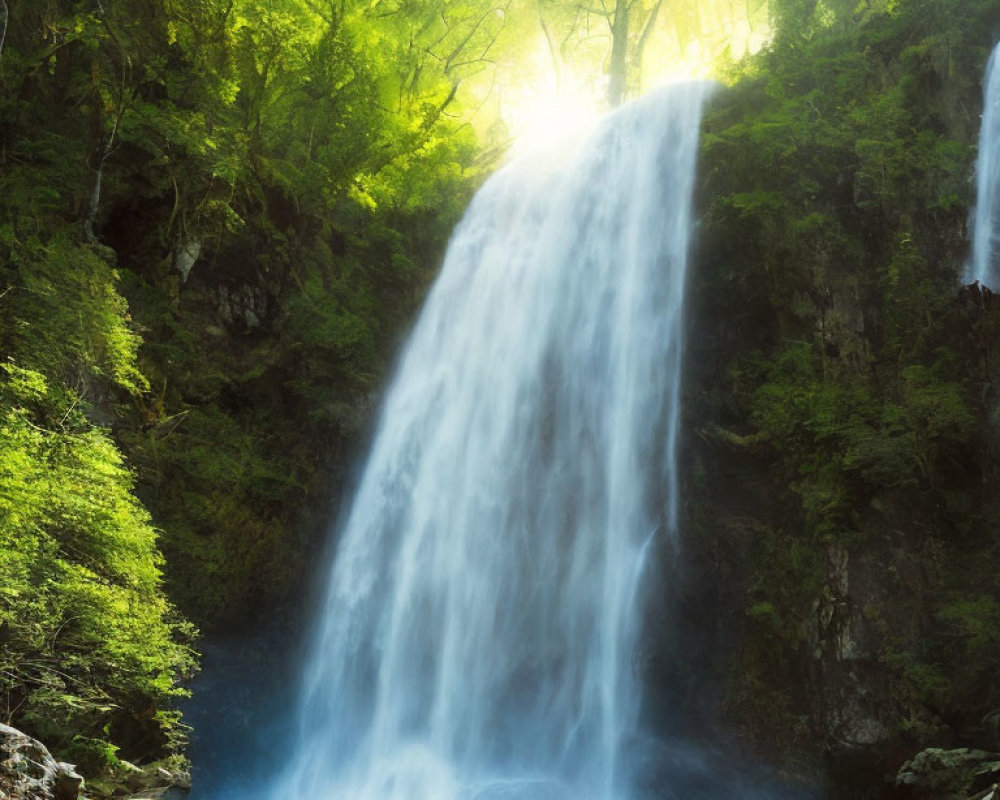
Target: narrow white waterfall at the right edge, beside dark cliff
985	234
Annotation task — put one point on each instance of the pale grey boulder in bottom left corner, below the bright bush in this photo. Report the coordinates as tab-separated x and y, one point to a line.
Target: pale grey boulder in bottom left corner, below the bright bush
29	772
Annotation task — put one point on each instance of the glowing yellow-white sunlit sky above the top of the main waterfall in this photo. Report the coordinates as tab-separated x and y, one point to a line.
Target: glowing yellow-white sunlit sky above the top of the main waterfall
559	77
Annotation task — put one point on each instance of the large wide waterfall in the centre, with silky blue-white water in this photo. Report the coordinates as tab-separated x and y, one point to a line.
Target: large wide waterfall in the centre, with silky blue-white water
479	635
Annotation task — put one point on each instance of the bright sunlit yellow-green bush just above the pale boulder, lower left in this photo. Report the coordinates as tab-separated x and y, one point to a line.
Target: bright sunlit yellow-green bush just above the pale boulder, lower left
90	645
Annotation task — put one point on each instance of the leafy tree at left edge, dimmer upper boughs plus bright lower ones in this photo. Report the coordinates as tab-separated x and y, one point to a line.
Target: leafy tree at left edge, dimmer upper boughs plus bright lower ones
91	652
